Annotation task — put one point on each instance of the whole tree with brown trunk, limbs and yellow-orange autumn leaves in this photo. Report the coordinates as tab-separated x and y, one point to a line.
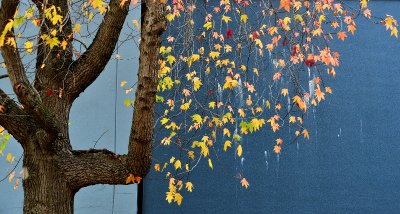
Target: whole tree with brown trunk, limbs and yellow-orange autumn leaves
224	42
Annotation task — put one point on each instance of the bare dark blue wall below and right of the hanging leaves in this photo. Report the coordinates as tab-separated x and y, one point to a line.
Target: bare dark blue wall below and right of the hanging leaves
351	164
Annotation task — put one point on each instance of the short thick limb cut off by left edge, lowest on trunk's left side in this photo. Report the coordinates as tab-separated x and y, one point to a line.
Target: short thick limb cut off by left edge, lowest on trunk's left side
14	119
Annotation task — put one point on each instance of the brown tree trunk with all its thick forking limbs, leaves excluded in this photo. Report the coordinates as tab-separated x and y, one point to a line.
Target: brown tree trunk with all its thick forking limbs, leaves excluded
54	171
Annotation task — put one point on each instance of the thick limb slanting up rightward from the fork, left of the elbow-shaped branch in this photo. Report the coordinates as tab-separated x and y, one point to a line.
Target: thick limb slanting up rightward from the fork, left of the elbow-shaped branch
89	66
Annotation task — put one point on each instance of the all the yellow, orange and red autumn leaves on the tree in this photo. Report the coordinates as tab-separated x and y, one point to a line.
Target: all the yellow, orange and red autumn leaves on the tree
226	69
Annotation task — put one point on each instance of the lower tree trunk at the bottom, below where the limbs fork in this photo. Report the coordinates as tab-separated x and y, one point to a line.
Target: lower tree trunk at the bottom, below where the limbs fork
45	189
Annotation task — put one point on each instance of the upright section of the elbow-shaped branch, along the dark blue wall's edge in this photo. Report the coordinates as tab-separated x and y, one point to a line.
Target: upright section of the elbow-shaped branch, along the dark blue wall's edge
140	140
